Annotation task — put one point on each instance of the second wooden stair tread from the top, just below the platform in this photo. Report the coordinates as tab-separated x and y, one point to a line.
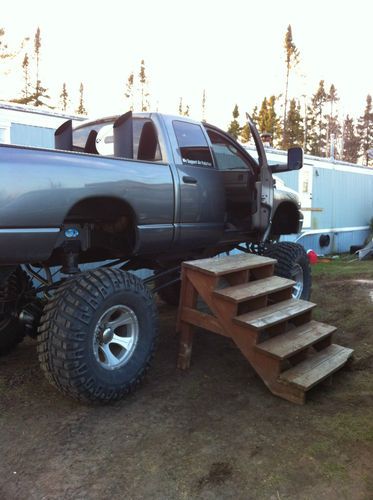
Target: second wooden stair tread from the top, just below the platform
246	291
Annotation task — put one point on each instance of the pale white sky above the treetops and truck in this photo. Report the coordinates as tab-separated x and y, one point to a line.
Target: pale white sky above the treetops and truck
234	50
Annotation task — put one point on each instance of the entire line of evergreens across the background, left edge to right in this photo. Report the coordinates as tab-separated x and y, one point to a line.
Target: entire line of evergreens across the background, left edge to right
311	123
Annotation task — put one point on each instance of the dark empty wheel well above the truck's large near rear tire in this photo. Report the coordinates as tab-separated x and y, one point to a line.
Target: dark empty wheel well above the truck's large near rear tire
112	222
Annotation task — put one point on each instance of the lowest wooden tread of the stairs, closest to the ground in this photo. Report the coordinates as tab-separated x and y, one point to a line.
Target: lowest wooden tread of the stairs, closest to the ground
316	368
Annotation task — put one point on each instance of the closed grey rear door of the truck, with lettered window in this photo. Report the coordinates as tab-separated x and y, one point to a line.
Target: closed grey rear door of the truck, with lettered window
200	218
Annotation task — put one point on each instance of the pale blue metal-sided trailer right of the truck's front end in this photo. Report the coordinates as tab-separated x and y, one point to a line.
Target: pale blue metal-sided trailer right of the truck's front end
336	198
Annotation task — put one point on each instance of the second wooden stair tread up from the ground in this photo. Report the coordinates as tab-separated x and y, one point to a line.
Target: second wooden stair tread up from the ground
287	344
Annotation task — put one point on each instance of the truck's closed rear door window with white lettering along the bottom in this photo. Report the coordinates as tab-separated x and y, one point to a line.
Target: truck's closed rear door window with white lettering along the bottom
193	145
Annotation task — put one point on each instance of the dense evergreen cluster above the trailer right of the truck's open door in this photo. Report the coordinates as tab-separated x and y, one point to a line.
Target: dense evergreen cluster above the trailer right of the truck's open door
314	125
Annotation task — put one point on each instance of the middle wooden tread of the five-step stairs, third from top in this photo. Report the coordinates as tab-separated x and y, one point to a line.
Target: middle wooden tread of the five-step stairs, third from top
277	313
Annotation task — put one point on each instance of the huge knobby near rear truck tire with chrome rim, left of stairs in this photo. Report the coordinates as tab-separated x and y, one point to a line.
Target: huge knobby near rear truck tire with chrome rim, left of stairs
98	335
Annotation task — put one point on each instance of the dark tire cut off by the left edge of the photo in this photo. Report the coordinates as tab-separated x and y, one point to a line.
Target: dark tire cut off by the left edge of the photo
12	331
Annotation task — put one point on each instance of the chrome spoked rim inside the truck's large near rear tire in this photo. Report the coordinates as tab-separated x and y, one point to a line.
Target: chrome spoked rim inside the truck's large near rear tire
115	337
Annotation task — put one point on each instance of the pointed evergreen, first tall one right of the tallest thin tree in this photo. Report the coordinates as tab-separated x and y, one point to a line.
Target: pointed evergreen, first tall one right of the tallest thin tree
317	124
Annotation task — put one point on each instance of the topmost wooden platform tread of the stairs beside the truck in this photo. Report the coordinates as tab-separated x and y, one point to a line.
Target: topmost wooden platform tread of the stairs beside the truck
229	264
